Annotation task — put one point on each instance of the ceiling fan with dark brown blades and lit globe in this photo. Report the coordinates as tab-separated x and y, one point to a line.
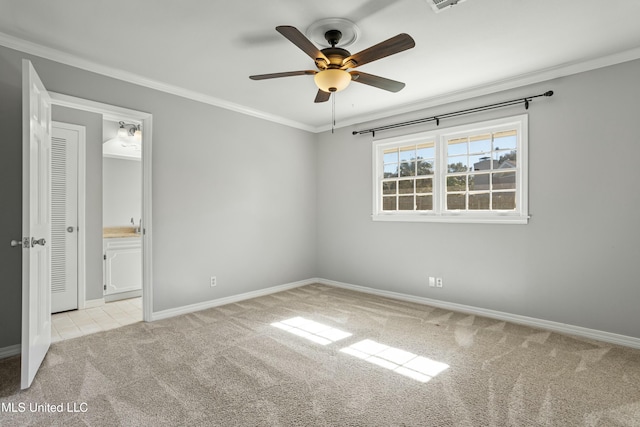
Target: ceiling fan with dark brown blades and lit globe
333	62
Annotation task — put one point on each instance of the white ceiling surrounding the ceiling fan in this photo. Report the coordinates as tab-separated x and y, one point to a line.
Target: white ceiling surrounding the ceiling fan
206	49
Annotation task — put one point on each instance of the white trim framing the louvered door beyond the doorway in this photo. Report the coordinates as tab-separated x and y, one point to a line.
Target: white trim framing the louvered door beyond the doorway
81	178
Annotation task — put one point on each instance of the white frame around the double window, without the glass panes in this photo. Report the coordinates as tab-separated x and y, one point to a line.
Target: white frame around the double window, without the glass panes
439	213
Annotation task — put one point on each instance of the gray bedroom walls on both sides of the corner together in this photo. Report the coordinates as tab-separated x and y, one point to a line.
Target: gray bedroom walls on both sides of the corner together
258	204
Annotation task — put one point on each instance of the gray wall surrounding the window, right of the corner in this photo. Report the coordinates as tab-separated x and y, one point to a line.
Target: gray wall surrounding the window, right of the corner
576	262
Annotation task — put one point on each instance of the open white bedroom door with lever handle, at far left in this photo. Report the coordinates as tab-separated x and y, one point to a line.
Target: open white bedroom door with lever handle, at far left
36	223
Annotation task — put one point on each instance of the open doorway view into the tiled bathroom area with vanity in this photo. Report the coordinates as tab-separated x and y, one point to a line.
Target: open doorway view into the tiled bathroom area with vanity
115	301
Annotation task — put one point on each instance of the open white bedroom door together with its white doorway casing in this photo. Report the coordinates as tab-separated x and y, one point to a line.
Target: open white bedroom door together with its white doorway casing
37	105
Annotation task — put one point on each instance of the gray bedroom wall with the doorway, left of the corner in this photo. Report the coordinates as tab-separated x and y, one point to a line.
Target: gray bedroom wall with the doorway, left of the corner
233	196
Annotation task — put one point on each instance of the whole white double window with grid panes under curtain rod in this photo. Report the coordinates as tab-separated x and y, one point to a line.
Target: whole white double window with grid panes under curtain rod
471	173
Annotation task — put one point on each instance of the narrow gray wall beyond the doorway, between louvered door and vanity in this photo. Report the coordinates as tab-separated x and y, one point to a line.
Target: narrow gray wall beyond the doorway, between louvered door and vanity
93	198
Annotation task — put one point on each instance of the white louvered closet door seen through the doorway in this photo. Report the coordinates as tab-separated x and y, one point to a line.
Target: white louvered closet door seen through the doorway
64	218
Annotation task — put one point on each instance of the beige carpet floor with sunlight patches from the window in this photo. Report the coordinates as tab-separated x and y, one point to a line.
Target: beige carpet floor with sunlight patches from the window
321	356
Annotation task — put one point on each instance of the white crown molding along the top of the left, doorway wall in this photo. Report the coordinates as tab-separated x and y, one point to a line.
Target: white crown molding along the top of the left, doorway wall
78	62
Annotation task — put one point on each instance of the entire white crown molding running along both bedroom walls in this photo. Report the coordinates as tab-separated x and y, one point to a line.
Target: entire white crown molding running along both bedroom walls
446	98
